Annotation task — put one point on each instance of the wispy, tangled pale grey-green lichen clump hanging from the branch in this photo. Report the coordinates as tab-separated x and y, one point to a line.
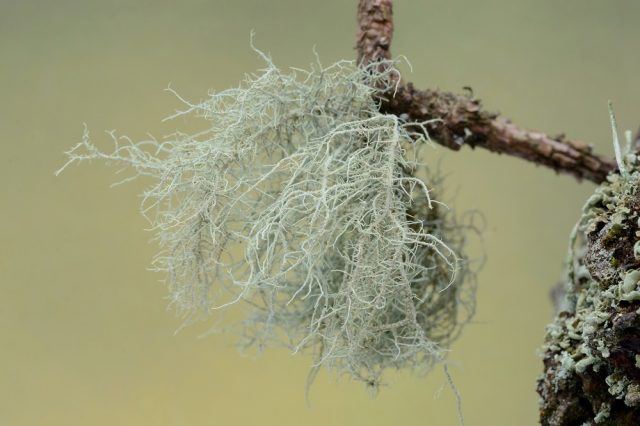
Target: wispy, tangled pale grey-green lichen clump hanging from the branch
302	201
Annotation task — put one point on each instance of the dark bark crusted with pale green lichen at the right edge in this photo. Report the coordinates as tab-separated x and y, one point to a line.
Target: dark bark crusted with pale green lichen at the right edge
591	371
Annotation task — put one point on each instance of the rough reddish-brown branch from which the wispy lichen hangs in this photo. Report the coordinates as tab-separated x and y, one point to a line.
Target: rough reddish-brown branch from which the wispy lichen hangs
461	119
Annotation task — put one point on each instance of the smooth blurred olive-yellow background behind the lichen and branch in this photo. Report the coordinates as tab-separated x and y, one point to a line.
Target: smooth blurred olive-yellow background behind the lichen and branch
85	335
